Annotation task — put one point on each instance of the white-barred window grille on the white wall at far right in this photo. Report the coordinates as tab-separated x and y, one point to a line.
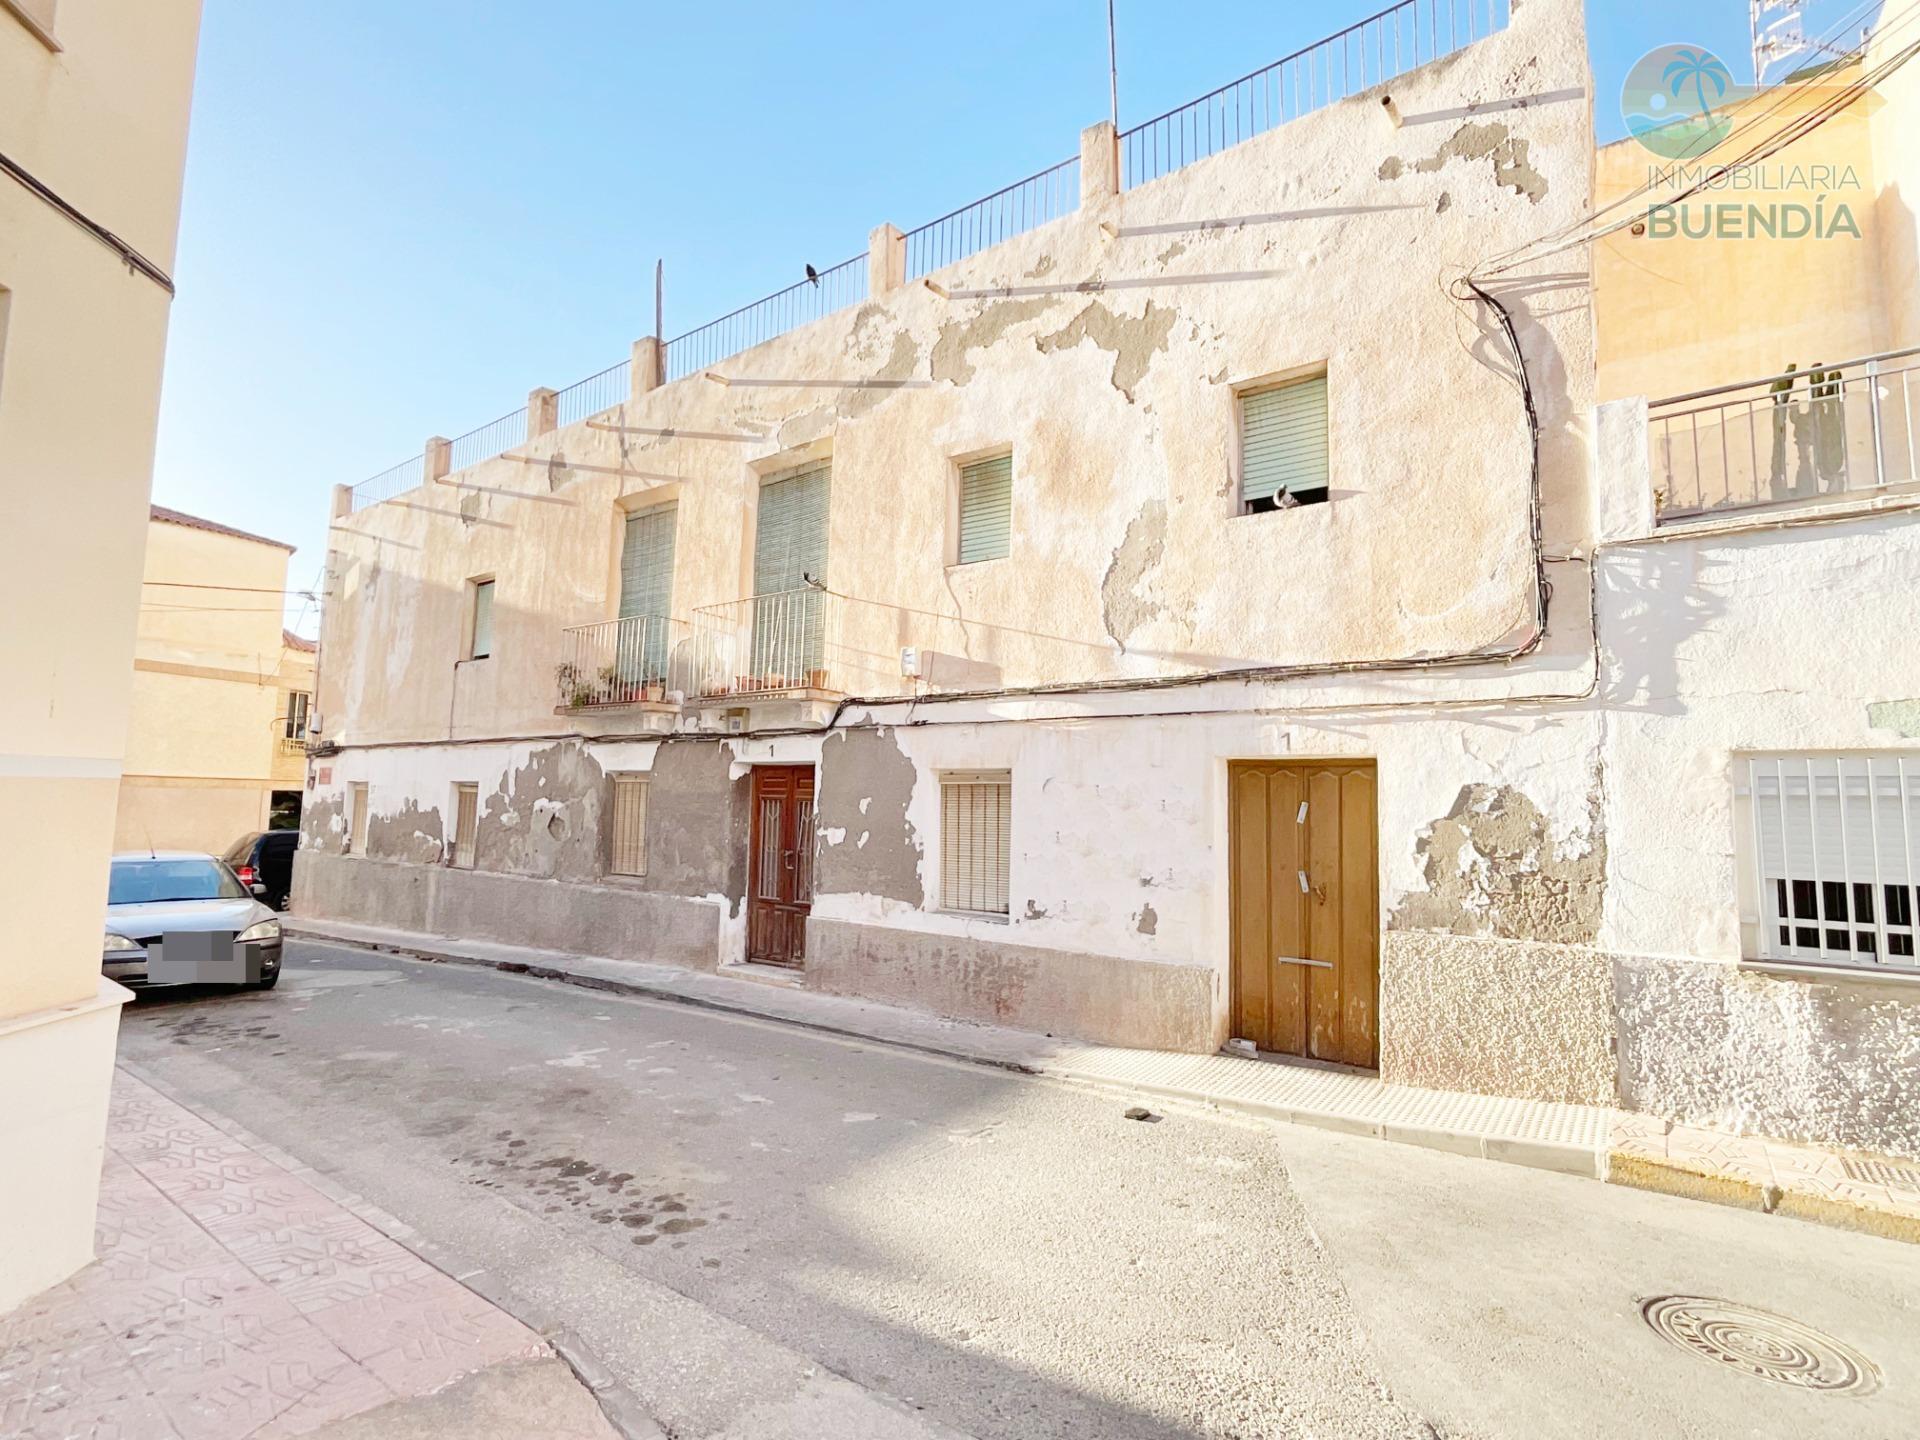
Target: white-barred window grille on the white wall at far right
1835	857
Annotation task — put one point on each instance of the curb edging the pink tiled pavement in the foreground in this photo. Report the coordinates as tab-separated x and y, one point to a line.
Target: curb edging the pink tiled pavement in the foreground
619	1404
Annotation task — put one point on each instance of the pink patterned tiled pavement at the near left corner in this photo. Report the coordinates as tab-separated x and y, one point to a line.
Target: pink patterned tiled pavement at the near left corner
231	1301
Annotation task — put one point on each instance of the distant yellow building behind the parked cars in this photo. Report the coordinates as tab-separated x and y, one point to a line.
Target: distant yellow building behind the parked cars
220	696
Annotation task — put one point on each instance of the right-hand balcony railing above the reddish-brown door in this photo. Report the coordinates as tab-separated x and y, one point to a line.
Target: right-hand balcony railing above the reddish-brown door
765	646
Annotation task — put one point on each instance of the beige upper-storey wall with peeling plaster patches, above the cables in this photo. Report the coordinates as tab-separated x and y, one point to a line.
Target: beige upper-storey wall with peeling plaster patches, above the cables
1118	402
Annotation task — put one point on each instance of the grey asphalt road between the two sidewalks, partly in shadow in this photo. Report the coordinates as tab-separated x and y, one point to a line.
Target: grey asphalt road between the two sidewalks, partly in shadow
771	1234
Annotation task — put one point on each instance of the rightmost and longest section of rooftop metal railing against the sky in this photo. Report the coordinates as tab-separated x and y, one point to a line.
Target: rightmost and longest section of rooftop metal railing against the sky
1364	55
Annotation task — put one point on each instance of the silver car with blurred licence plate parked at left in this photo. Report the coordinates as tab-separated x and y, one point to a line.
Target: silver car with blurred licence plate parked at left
183	919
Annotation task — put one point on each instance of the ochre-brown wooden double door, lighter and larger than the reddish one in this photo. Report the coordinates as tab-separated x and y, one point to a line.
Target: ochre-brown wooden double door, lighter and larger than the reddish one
1307	971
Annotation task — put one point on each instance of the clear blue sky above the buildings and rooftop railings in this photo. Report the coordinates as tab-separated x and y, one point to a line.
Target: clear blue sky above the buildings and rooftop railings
400	218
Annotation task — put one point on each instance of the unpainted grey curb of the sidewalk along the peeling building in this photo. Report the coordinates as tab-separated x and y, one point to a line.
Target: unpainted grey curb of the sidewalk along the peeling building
1577	1161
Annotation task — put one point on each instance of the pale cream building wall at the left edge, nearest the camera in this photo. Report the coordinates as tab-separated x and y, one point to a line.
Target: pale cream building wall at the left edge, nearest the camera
93	112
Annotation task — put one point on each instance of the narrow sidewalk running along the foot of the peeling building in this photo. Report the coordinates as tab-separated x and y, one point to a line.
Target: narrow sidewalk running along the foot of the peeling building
1854	1191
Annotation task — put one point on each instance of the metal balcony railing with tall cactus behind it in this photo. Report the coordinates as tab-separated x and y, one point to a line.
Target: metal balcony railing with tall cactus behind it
1785	439
